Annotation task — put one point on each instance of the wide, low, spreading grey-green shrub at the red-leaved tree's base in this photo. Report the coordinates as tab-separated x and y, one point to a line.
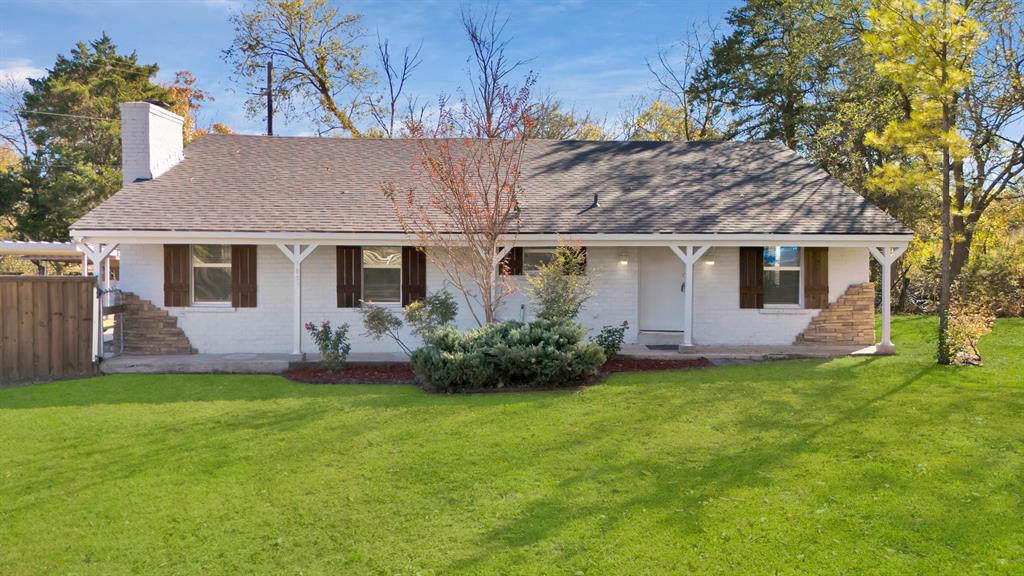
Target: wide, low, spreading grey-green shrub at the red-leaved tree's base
540	354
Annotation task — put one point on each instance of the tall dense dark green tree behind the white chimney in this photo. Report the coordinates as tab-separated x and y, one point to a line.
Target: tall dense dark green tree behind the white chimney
74	128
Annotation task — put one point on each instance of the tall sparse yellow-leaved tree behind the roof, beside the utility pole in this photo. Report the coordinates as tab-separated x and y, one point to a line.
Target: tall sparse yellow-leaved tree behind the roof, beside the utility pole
317	55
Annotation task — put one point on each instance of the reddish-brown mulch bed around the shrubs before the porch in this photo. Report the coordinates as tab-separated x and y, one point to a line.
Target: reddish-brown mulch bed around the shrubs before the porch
399	374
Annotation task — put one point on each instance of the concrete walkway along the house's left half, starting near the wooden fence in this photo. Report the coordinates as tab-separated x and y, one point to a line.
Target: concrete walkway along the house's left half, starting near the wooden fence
224	363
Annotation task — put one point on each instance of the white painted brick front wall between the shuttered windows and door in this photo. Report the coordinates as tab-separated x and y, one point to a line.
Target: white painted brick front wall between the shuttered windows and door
268	328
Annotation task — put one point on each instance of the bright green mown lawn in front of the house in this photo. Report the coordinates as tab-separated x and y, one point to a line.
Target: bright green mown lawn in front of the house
852	466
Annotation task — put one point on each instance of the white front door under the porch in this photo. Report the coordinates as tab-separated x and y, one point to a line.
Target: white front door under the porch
661	291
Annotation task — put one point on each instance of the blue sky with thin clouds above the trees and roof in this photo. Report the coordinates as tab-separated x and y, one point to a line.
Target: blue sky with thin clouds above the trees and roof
592	55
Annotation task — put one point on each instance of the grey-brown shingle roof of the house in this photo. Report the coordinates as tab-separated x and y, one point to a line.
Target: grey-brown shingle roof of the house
262	184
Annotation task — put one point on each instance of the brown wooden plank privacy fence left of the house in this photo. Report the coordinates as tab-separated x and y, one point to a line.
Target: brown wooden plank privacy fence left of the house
47	326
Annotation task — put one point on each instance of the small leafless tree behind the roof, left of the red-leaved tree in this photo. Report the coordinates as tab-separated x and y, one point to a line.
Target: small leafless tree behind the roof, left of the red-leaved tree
389	110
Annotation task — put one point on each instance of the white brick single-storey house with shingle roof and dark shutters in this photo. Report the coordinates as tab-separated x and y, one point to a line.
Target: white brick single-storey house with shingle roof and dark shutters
243	239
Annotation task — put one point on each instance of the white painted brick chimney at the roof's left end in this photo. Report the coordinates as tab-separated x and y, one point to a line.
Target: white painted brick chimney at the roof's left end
152	141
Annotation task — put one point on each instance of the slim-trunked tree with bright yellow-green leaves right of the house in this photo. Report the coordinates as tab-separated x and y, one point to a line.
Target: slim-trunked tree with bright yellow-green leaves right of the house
928	49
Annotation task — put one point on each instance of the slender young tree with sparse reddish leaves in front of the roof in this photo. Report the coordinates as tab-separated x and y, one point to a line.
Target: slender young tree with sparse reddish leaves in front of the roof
471	167
